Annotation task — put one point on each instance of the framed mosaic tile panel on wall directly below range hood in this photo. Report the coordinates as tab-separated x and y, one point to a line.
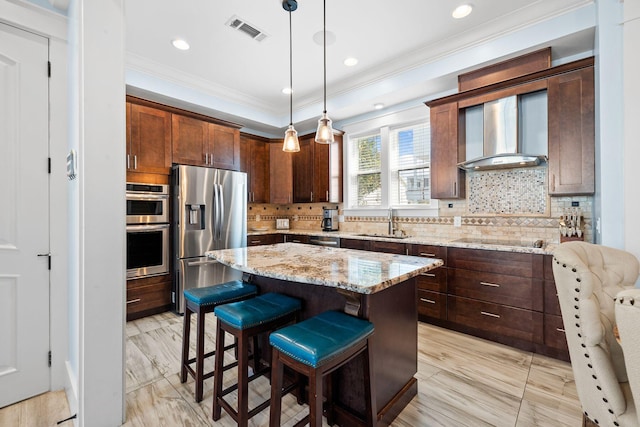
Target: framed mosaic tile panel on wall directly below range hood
510	192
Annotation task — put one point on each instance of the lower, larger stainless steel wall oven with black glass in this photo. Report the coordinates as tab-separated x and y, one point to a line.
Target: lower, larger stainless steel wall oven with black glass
147	250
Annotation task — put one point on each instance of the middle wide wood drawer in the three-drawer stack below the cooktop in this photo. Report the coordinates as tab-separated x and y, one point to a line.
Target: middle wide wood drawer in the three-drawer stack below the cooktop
498	288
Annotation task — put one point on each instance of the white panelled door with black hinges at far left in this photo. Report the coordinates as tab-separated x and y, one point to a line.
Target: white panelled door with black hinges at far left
24	215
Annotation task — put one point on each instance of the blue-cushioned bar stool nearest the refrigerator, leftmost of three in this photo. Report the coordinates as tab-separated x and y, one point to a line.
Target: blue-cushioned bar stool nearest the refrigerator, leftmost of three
201	301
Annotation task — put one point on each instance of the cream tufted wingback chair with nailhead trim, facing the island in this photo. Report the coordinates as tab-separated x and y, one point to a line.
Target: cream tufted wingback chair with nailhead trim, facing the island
588	277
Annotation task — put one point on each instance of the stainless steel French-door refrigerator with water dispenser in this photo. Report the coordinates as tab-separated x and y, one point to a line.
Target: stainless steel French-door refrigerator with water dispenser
210	212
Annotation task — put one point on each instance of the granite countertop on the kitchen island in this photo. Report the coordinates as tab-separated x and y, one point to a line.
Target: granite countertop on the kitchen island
353	270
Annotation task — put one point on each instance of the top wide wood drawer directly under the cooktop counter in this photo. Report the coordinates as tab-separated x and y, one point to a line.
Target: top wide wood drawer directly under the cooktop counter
501	262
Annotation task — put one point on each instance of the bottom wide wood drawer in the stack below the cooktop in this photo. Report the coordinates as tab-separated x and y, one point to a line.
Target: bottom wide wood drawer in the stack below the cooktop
497	319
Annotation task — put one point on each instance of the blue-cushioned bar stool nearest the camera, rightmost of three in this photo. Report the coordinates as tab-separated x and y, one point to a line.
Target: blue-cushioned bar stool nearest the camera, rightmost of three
316	347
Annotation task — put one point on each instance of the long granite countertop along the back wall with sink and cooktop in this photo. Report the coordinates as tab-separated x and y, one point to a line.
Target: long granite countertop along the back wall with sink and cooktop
488	244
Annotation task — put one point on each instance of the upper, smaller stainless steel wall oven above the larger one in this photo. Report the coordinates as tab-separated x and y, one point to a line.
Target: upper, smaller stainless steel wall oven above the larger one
147	203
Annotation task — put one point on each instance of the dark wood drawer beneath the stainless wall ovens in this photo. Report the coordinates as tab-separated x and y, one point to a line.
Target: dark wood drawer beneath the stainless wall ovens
148	295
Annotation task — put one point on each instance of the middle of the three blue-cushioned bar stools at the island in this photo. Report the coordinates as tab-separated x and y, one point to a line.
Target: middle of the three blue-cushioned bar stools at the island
245	320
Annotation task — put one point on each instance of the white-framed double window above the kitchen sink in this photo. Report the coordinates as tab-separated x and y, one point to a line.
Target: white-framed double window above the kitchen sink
389	167
